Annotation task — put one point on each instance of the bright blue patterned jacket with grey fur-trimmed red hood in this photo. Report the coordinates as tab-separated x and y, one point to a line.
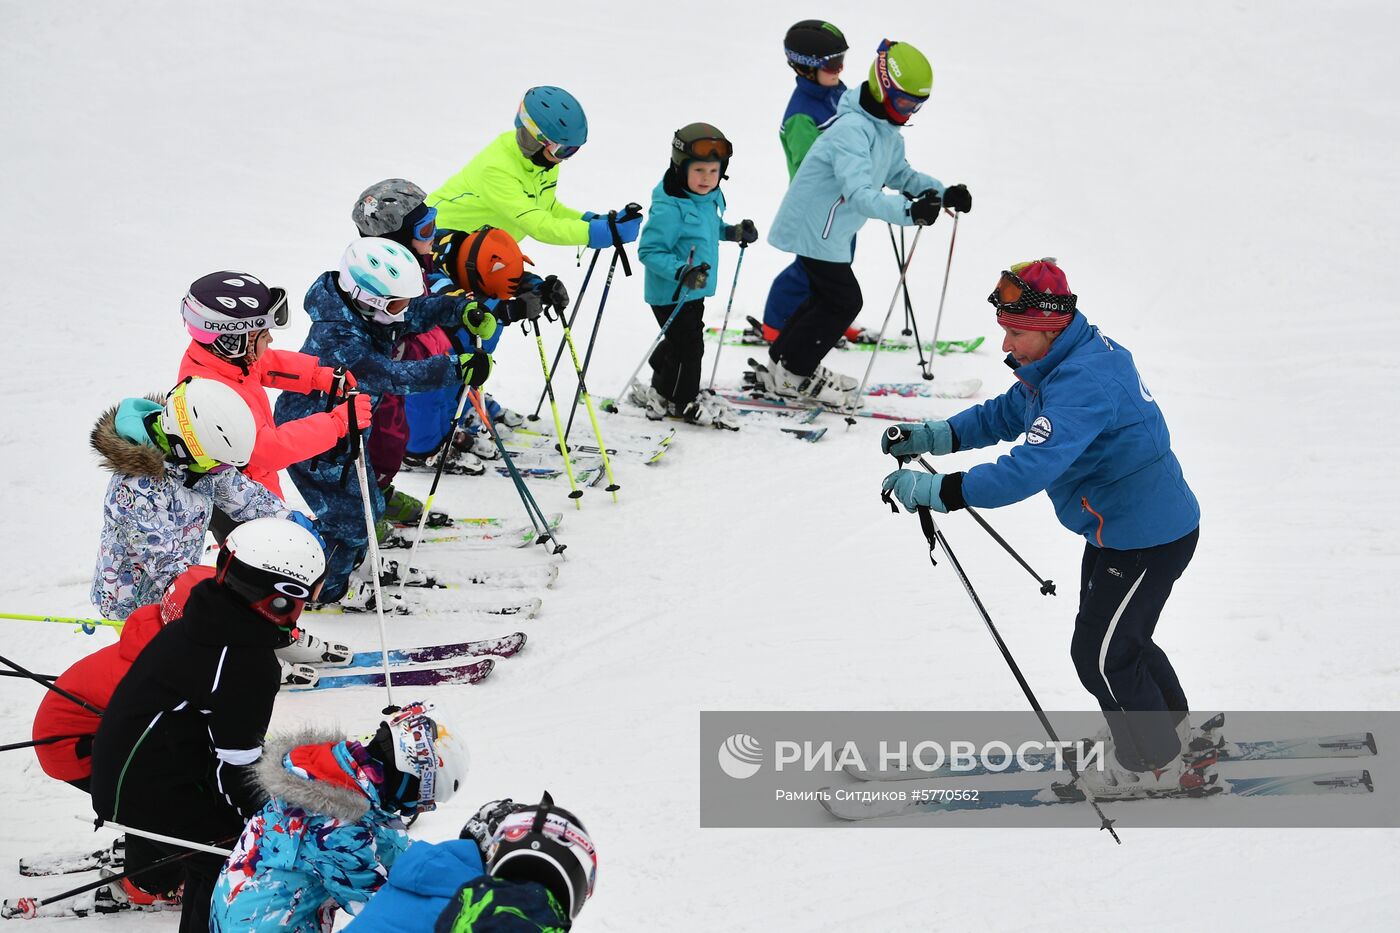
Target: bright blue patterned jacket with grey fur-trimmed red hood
321	843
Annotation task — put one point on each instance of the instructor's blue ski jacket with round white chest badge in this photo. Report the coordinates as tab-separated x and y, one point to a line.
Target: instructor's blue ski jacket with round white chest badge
1095	442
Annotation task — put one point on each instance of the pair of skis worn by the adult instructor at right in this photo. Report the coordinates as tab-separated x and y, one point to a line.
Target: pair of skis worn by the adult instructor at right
1340	782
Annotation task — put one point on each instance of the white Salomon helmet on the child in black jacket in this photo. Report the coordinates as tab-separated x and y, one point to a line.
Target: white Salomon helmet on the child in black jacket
275	565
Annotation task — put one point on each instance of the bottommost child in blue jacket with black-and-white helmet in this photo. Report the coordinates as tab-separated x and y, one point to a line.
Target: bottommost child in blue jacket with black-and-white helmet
514	868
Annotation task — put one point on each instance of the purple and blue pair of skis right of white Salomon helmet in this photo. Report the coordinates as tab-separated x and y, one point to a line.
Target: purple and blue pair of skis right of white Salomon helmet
405	675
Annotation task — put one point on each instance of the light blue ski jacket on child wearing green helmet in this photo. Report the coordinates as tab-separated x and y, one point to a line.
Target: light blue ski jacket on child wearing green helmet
841	186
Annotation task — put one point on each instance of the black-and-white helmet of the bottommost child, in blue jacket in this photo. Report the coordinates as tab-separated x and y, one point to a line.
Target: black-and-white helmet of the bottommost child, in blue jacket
549	845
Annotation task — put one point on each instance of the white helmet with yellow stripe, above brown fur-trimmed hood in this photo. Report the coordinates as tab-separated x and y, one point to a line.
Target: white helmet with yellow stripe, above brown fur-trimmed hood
208	424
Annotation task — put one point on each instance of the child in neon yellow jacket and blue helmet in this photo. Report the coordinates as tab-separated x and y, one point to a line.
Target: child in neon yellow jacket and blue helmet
512	184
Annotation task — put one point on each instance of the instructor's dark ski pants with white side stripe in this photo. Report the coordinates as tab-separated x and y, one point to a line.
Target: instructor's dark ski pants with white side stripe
1122	595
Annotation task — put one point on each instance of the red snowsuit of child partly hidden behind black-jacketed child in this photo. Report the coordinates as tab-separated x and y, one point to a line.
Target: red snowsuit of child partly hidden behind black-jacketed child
94	679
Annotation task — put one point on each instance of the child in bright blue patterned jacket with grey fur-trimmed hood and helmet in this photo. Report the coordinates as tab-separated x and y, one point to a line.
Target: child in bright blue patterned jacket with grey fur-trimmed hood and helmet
331	830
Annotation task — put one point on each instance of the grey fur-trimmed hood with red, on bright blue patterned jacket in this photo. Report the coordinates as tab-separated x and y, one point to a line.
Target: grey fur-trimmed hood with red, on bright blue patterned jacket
345	796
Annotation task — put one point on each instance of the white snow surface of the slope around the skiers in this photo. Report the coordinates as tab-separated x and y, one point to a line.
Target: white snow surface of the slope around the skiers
1219	183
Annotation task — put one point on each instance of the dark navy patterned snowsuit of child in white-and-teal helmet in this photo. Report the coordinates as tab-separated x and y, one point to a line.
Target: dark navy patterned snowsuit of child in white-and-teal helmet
339	336
